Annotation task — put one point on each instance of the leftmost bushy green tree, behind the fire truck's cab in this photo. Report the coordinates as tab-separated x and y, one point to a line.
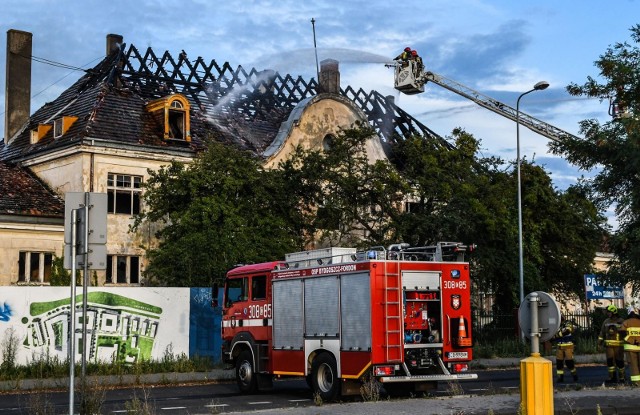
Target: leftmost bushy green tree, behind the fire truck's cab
221	210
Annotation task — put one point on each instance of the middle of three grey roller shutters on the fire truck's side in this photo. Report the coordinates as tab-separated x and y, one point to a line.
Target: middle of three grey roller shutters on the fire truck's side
321	313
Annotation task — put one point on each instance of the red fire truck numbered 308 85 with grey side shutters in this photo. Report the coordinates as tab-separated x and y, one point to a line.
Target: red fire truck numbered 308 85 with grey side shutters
338	316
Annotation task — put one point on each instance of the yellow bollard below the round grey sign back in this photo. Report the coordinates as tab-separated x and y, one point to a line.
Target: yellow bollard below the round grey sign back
536	385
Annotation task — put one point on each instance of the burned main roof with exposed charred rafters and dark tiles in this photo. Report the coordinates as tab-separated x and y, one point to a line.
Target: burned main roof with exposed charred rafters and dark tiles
235	106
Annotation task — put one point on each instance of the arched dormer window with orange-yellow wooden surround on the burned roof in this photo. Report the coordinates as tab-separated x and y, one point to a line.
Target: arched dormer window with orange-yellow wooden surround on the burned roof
172	113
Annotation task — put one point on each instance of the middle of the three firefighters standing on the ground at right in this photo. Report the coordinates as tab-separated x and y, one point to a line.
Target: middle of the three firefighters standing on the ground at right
612	340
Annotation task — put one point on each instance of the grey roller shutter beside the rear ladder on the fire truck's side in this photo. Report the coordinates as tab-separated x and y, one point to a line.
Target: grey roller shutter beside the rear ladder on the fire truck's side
356	312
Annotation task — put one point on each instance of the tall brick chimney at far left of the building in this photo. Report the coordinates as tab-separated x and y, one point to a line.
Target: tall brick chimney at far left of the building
17	92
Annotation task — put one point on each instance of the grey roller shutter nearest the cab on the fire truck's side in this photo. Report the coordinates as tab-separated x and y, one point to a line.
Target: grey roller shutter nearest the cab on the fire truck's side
287	314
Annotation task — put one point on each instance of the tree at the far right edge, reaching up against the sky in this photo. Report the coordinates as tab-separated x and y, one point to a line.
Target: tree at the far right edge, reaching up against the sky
612	149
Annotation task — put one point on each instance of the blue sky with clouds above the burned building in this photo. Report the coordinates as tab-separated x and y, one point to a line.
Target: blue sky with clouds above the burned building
500	48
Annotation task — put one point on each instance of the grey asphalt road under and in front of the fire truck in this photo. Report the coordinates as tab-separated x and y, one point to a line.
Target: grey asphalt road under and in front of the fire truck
494	389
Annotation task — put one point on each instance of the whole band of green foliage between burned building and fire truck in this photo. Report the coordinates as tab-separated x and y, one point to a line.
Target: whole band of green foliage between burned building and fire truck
225	209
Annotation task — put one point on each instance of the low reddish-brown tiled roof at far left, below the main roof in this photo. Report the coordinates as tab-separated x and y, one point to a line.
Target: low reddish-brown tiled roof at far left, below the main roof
24	194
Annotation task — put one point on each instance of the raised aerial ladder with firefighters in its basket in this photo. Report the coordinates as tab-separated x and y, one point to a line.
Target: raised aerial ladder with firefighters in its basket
410	78
